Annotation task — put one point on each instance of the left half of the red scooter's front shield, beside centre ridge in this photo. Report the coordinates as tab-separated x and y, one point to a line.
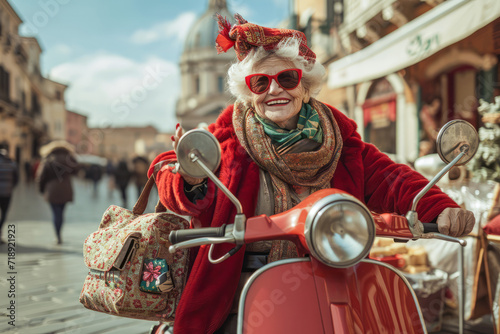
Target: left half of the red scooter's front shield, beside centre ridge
280	298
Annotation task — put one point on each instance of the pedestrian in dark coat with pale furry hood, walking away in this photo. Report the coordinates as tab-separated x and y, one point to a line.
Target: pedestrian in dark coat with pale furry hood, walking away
54	178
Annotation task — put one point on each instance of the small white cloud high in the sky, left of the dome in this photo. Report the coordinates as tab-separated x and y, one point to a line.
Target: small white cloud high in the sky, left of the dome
177	28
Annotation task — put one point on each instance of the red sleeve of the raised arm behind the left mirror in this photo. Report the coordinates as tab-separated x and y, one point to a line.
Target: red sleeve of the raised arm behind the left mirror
171	188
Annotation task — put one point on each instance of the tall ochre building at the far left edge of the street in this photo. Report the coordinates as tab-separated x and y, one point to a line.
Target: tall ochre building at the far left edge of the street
29	103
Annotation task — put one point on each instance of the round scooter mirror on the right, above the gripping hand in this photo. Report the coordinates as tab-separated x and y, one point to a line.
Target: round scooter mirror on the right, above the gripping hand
453	138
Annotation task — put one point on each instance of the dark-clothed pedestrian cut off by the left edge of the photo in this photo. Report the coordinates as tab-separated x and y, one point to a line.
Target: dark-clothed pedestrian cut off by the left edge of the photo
8	180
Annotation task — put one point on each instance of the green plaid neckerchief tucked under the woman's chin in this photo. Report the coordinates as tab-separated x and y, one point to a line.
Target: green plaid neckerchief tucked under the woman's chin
307	127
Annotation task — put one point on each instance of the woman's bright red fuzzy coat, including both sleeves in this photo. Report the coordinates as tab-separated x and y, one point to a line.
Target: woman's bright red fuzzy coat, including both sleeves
362	171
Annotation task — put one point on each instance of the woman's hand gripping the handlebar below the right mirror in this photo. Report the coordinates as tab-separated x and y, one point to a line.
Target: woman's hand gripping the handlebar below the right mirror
455	222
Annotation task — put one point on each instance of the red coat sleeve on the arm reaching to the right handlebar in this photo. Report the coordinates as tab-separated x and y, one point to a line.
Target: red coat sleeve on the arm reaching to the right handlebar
385	186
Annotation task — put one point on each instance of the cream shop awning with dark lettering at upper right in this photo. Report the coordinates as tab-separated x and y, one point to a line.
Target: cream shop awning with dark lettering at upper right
447	23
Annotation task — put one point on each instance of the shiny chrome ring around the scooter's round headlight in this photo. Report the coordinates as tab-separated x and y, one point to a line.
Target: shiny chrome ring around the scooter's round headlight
322	206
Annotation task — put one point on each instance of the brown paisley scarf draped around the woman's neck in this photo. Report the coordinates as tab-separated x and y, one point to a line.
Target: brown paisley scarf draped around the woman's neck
306	169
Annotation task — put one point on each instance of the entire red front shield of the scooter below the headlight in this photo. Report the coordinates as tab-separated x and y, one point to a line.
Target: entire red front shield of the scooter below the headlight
304	296
